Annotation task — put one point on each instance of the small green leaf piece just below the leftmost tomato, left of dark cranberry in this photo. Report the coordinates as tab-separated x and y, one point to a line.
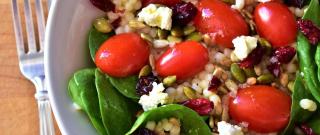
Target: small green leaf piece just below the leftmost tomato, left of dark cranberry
126	86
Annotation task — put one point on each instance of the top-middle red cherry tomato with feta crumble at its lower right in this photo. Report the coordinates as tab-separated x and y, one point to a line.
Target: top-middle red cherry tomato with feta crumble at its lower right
221	21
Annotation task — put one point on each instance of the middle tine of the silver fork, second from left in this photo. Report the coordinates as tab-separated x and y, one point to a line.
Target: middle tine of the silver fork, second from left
29	26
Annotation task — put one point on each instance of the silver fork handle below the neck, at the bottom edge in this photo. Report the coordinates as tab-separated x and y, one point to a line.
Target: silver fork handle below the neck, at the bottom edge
46	123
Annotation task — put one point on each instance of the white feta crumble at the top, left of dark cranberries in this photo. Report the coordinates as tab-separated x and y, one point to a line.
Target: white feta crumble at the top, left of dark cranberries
156	16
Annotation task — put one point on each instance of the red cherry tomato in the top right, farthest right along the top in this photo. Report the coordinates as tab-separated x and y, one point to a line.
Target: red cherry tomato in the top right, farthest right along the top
275	23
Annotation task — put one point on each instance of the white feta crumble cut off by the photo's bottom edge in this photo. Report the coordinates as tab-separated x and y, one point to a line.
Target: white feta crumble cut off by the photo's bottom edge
225	128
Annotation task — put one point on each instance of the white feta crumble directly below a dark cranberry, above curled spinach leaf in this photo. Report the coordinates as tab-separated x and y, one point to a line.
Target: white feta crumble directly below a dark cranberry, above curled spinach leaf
155	97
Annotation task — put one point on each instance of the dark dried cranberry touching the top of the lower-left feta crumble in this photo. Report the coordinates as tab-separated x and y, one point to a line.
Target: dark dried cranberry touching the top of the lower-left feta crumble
144	85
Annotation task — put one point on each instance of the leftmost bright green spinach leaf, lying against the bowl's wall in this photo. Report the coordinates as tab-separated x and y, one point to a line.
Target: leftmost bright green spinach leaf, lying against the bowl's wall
87	97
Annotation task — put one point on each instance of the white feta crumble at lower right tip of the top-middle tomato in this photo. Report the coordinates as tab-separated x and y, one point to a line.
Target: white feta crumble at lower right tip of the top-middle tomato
243	45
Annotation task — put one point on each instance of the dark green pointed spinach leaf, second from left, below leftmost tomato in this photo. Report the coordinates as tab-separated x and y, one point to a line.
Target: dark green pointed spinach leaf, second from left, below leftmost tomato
116	111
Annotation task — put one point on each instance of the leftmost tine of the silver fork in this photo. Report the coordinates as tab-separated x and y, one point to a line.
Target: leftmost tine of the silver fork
17	28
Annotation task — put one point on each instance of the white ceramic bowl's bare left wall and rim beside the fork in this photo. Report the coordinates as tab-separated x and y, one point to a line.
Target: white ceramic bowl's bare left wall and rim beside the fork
66	50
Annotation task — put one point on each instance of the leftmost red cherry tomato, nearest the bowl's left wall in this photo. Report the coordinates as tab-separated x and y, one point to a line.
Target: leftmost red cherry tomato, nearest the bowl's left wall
122	55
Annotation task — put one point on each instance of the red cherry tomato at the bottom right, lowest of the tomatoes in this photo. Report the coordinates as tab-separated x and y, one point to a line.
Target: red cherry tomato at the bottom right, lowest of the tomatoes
264	108
